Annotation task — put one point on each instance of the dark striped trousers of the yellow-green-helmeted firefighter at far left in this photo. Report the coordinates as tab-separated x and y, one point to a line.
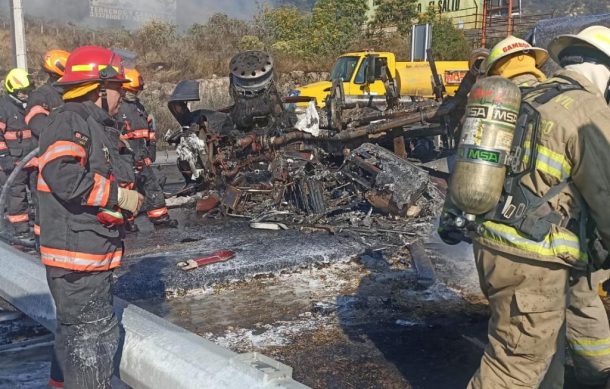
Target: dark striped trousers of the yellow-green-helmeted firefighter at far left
18	206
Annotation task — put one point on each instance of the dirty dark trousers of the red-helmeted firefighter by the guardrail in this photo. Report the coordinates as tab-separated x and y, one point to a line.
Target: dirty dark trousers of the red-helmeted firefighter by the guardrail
87	334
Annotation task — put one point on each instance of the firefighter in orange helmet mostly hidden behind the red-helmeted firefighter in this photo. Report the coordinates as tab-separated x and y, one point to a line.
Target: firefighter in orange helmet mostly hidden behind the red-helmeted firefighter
44	99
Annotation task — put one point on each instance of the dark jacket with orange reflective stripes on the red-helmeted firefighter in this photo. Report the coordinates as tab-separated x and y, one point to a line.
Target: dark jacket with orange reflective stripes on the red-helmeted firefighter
80	170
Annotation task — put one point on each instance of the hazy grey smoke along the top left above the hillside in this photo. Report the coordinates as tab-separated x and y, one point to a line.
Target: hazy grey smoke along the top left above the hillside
187	11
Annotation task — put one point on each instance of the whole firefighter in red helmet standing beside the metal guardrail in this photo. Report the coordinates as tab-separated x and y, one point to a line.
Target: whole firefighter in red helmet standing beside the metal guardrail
83	204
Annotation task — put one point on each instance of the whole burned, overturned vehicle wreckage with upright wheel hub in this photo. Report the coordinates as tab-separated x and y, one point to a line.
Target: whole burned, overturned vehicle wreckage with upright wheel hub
356	165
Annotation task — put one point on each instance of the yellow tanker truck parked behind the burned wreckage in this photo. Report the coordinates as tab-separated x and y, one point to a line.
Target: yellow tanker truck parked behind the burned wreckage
413	79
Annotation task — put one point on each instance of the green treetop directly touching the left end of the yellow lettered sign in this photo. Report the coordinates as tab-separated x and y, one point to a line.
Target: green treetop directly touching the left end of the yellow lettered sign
394	13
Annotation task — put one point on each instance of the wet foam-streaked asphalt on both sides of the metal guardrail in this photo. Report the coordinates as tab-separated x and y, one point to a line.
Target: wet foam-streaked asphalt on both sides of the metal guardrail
341	312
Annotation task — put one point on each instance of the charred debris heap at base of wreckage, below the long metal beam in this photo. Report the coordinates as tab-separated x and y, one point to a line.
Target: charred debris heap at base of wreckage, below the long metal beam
374	195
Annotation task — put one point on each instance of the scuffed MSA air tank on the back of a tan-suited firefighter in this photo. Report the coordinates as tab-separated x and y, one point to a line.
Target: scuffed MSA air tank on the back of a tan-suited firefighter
485	143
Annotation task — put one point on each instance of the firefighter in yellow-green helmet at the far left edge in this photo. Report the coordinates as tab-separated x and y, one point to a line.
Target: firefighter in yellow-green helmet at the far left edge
18	140
